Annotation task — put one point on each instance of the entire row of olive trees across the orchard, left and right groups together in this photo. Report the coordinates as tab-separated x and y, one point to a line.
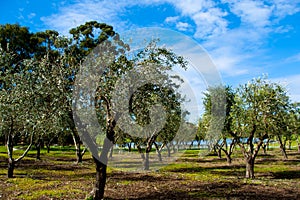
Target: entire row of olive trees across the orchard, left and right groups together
39	77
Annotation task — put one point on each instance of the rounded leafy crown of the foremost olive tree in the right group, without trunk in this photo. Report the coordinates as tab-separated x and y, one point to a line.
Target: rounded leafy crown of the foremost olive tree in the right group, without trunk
259	109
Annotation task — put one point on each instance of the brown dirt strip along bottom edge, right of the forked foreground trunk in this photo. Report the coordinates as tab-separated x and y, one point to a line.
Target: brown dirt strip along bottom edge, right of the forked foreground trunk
159	187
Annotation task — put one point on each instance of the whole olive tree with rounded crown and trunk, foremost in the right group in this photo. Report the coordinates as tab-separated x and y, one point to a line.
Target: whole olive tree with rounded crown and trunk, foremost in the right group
257	108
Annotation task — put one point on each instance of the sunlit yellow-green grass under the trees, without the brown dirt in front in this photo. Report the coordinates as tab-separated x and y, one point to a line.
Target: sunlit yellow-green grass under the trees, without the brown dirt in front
57	176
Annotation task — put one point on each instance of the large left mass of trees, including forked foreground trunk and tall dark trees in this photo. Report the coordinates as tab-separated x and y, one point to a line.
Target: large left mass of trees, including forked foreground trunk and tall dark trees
38	101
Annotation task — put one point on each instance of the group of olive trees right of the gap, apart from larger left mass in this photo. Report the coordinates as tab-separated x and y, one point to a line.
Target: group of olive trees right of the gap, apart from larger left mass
255	113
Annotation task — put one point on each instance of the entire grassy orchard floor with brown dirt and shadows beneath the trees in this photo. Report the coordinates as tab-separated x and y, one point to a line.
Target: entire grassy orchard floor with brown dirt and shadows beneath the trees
57	176
